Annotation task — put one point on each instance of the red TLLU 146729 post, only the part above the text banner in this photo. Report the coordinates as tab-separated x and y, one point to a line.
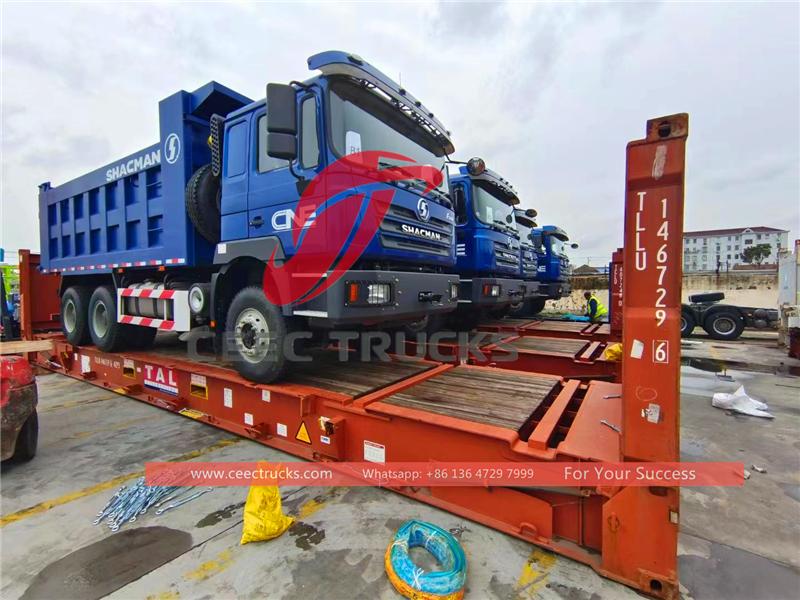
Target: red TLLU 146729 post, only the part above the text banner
652	300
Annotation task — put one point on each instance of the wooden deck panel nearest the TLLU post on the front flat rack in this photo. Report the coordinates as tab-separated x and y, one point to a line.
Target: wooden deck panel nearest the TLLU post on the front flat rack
493	397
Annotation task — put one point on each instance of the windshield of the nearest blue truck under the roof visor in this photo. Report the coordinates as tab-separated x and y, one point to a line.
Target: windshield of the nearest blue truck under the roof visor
361	121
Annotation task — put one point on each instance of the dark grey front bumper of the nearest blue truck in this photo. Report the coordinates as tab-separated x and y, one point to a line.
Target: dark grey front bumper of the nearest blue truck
372	297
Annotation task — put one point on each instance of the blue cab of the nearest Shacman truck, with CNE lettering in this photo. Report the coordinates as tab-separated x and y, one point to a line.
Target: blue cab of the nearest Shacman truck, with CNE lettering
404	270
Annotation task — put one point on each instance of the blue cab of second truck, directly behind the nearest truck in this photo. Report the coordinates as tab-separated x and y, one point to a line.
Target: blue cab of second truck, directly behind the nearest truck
487	241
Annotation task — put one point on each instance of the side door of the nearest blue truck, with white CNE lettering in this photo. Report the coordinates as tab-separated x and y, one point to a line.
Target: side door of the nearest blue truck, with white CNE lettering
273	190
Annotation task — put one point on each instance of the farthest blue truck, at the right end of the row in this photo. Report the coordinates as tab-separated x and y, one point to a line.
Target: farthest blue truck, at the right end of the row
553	271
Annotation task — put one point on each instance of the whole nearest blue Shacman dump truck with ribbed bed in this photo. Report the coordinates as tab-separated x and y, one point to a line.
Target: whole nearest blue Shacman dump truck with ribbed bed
201	228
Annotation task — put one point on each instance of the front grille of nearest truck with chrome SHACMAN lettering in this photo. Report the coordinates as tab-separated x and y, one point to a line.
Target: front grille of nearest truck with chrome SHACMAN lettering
434	236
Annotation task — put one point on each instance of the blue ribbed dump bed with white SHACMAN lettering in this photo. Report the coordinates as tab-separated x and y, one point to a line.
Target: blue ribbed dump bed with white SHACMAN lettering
131	211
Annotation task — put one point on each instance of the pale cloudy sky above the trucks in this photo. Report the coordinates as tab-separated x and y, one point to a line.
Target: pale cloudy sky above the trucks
548	94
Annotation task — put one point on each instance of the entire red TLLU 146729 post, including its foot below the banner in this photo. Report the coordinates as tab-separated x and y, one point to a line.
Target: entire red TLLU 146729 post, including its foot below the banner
640	534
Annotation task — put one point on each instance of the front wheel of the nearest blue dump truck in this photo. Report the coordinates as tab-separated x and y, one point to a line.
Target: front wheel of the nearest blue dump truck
255	336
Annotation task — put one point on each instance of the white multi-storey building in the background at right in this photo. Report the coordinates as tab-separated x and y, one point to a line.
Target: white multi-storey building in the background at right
727	249
